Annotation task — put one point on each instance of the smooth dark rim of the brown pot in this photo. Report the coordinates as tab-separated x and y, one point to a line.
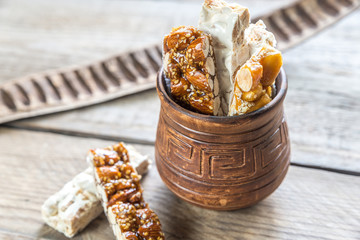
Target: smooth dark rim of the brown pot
280	82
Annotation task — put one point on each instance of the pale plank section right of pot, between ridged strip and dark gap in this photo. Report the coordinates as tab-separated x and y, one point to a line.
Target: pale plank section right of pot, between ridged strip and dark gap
322	105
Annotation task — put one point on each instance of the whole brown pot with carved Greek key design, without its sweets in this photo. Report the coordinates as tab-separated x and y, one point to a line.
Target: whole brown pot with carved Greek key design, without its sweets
222	163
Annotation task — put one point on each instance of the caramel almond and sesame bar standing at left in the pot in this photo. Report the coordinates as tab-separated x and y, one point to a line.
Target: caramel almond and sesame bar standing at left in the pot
189	64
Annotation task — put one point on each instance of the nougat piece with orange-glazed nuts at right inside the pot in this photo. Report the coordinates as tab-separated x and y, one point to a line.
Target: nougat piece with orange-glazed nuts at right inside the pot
259	43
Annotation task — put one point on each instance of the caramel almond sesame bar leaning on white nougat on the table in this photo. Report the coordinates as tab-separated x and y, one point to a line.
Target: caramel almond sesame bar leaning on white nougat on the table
118	186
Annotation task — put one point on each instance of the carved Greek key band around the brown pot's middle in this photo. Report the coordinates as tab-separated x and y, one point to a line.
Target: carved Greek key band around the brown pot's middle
234	162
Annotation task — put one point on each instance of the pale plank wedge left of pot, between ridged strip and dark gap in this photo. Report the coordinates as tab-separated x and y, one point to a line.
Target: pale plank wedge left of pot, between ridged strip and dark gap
131	117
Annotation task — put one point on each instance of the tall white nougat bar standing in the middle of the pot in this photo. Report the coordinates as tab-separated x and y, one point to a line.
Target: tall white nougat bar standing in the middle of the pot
226	23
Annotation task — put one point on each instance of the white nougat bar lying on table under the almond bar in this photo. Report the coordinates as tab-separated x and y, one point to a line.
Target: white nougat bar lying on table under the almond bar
72	208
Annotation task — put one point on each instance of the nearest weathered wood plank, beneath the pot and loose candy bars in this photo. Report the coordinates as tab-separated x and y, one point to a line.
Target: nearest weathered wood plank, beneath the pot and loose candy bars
310	204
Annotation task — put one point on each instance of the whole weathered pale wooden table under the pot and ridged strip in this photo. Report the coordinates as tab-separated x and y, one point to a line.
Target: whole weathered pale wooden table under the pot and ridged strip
320	197
